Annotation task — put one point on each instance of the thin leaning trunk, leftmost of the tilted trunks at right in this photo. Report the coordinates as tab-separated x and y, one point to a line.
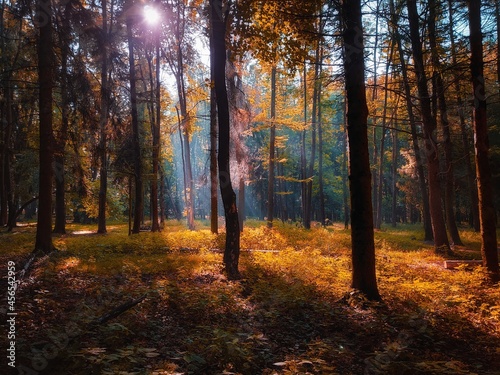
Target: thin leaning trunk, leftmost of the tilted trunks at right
428	233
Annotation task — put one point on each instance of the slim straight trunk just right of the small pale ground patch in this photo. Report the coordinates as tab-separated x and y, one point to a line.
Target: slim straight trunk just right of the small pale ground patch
103	122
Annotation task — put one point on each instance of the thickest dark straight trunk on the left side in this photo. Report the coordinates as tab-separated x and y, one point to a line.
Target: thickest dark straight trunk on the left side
43	240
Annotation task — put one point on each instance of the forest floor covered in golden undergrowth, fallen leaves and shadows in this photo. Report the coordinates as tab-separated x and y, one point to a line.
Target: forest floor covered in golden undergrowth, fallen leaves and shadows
292	313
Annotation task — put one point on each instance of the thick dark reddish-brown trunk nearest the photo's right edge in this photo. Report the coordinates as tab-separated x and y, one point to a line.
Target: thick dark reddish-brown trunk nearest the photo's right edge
483	171
